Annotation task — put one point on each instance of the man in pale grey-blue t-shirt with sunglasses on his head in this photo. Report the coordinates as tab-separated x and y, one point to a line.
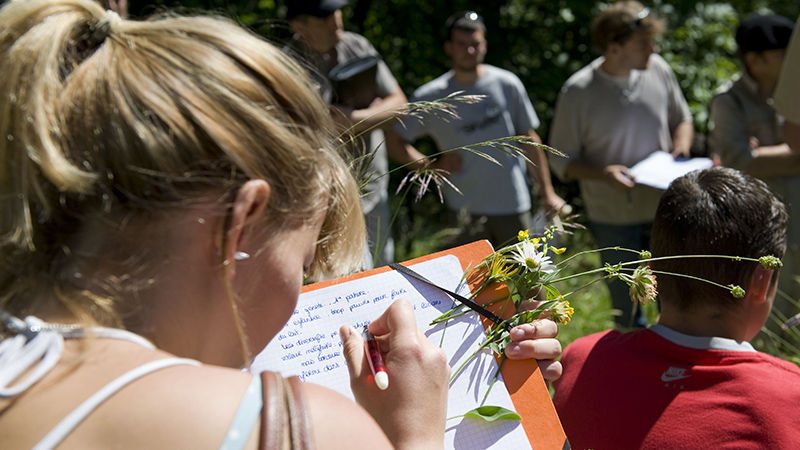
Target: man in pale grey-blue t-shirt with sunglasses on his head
495	198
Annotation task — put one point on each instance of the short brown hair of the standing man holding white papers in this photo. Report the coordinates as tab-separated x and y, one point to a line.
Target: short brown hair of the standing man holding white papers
620	21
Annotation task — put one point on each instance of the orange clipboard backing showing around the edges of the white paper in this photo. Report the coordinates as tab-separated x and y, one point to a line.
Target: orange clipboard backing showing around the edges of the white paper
525	384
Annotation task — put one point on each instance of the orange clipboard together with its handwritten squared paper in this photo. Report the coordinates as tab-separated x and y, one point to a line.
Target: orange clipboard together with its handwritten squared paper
309	347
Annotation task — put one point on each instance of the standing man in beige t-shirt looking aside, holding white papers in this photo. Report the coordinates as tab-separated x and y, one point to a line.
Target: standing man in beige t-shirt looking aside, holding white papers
611	115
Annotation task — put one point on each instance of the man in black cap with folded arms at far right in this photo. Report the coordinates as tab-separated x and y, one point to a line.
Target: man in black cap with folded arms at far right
747	134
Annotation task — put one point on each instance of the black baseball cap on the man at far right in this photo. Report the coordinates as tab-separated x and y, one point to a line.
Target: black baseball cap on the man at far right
764	32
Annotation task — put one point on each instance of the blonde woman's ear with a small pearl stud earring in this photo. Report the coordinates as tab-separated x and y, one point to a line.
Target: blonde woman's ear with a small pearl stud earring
248	208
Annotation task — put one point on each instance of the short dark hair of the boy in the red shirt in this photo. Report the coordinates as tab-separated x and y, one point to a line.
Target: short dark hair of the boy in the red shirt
716	211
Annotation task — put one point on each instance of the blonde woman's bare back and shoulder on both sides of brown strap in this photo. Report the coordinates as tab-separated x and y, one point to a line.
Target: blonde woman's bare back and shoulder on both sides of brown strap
182	406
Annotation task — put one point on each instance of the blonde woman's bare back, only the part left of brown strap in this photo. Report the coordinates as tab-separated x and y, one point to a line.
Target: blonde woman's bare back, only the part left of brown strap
182	406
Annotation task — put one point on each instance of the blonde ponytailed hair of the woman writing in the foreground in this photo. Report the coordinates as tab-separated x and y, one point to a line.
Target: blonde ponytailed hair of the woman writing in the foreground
116	120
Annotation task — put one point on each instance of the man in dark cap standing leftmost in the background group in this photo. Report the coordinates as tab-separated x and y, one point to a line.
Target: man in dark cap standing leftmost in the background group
321	42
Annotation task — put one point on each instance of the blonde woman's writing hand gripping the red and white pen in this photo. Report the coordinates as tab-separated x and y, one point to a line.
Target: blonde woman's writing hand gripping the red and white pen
412	410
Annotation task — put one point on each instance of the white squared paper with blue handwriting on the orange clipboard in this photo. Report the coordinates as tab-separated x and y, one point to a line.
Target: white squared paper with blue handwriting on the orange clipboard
309	346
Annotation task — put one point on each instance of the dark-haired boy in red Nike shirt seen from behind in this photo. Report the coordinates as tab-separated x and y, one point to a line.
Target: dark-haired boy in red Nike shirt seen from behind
693	381
